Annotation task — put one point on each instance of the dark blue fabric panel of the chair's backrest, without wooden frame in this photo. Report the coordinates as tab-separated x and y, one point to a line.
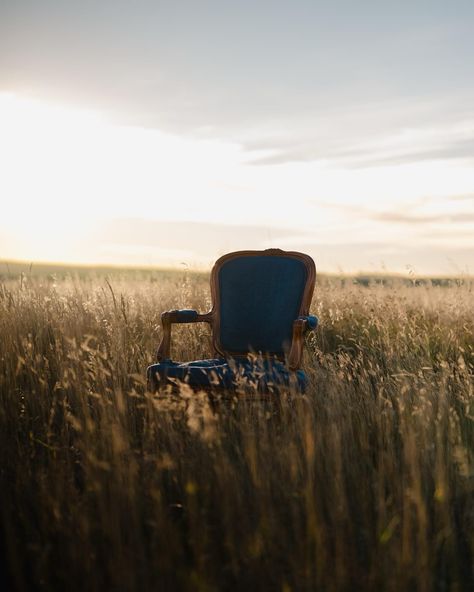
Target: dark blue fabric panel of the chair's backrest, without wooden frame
260	297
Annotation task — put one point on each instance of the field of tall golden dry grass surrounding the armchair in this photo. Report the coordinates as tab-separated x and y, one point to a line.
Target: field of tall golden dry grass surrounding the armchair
365	483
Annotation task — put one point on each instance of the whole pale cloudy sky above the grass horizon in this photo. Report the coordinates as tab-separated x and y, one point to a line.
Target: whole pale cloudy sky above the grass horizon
162	133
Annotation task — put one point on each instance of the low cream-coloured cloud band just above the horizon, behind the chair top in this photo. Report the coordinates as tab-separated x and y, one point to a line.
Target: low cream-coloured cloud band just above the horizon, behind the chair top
153	242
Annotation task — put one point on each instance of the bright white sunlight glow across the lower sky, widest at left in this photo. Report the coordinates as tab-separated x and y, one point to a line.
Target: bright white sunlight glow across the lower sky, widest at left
66	172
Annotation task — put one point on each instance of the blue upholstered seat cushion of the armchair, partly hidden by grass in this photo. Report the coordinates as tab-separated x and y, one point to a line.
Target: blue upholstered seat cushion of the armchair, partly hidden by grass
260	375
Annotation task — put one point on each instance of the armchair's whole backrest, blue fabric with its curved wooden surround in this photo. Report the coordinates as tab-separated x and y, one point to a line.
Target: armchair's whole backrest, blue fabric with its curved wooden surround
256	297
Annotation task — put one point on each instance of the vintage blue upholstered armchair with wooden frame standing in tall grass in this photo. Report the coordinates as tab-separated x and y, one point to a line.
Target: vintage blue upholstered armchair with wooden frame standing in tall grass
259	318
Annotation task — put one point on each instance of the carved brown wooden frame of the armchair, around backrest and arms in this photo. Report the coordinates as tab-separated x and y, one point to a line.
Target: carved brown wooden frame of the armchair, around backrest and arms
213	316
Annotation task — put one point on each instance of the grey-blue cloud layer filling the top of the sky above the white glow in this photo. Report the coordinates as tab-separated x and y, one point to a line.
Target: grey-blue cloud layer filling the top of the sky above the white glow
300	81
